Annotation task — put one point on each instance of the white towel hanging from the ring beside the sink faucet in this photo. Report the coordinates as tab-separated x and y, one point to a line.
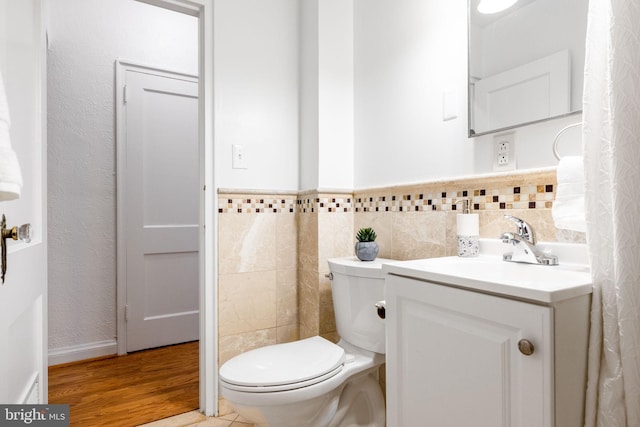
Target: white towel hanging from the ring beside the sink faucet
568	208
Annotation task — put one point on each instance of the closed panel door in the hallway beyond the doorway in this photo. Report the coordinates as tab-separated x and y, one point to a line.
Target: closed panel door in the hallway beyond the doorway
161	212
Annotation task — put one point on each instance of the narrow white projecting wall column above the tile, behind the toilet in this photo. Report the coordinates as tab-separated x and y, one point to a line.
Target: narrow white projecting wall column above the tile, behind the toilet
327	95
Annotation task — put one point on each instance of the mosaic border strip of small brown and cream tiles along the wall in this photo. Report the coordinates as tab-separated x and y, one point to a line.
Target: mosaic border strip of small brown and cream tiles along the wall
490	193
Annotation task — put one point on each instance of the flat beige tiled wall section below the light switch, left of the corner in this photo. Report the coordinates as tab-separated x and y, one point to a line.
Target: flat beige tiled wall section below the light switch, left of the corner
257	283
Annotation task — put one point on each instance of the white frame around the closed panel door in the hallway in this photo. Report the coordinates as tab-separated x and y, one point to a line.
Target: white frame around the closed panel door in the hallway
122	67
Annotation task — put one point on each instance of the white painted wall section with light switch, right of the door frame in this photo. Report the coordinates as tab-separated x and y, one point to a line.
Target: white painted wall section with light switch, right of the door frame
256	92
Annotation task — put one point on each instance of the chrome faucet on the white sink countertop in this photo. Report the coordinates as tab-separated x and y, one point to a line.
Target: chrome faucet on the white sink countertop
524	245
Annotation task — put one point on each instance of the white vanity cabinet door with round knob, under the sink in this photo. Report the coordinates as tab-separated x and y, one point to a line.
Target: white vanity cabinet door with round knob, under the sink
453	358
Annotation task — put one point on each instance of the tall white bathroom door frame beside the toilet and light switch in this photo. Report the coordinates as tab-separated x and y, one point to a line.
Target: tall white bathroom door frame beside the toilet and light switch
203	10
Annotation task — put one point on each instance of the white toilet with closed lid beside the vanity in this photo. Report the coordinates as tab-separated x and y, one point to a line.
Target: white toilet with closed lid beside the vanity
314	382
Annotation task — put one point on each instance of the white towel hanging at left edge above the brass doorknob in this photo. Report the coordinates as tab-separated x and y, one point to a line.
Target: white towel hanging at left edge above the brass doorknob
10	174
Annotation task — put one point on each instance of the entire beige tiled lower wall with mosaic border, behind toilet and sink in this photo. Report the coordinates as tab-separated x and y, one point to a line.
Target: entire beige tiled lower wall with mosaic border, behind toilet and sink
273	248
